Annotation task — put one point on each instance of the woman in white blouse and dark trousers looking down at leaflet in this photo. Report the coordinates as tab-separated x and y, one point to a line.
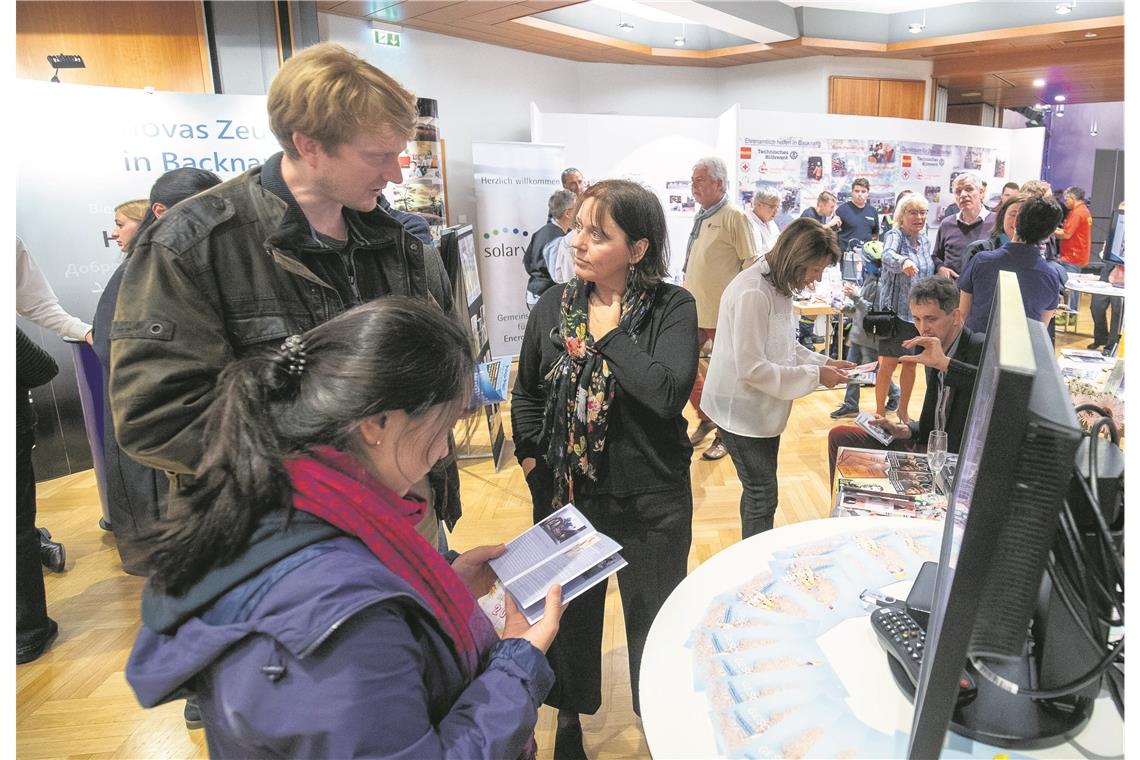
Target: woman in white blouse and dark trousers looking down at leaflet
758	369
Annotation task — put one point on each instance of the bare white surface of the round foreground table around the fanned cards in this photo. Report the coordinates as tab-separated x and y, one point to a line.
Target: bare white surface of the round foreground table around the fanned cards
678	718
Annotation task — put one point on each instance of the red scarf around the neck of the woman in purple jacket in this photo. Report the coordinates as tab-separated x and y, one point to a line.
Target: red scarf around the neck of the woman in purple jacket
337	488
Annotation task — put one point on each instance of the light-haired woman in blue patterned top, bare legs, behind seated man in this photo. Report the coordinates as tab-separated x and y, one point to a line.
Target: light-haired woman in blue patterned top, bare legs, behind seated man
907	259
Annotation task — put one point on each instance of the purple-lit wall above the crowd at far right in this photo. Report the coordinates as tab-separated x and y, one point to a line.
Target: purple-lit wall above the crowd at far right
1071	151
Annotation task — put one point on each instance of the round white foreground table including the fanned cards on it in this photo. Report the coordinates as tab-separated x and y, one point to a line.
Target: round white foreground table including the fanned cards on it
768	651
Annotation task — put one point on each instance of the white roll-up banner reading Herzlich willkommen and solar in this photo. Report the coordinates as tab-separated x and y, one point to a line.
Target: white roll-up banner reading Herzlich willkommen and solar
514	185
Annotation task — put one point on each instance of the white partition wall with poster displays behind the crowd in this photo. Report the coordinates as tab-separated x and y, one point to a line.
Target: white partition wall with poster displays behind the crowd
769	149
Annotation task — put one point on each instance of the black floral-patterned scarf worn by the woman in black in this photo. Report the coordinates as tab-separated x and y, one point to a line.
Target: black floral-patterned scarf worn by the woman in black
582	388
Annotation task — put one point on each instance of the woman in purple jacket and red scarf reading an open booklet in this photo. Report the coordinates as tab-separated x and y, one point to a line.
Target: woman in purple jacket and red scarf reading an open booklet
292	594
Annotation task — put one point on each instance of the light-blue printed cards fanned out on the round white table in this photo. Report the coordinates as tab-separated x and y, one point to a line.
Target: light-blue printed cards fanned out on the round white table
771	691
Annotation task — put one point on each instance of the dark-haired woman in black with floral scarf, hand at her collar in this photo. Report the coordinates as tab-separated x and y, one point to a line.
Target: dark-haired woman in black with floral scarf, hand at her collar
605	372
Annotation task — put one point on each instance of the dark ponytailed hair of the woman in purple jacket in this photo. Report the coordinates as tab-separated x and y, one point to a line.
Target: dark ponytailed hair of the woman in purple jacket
394	354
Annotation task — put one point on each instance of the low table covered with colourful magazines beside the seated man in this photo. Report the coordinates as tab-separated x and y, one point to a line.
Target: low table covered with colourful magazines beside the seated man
900	484
